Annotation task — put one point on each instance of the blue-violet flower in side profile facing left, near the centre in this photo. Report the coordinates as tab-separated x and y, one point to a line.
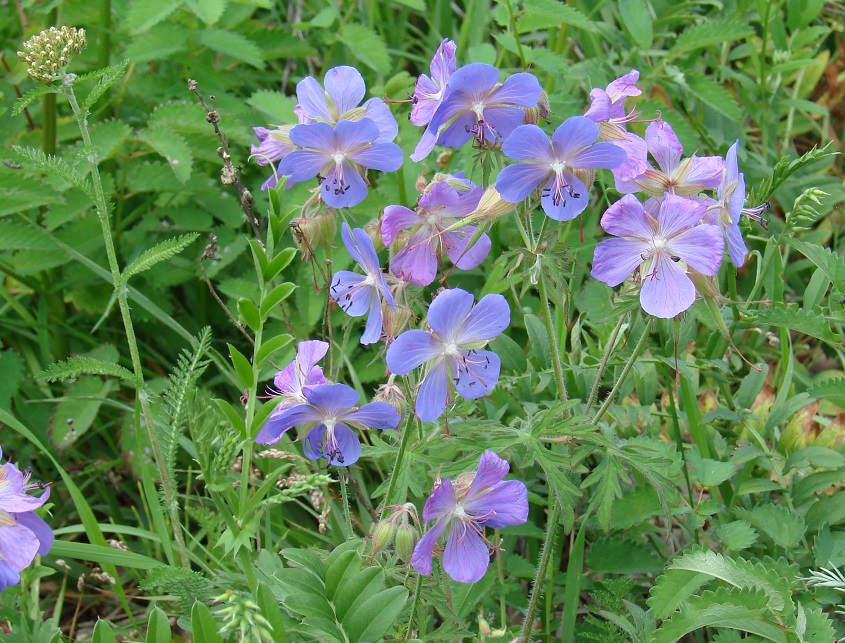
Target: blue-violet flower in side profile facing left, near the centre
358	294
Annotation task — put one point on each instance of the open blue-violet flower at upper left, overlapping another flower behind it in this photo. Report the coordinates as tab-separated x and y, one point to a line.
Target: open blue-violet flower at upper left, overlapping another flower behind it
339	157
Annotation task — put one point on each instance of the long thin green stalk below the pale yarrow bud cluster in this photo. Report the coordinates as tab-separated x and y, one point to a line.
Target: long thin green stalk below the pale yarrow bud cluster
121	292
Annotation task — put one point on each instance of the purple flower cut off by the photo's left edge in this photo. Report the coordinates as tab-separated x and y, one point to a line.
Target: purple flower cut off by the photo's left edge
23	534
